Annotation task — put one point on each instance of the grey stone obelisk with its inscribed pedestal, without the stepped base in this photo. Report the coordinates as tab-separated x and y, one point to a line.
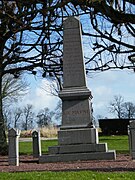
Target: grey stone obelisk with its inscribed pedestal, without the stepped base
75	96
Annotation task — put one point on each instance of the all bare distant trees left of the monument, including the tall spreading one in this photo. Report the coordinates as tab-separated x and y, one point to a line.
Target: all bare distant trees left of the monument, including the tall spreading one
22	117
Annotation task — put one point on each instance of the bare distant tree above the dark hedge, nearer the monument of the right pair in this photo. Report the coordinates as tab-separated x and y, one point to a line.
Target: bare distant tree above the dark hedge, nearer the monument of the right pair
116	106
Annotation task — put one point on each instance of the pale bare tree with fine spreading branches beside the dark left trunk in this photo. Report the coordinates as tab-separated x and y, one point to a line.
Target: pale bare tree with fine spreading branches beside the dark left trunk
12	90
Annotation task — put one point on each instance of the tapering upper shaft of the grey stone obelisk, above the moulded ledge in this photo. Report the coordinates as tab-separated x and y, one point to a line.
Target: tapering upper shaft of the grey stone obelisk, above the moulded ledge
73	63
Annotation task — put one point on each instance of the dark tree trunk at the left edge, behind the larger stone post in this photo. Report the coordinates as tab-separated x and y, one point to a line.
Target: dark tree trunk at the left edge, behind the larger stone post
3	140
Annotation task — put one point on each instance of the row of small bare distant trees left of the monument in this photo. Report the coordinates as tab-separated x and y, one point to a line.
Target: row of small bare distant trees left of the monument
25	118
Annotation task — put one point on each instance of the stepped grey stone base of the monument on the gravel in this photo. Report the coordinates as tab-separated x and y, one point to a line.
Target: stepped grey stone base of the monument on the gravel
78	144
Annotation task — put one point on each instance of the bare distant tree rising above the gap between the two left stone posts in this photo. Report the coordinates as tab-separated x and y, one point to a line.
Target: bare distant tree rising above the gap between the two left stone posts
28	117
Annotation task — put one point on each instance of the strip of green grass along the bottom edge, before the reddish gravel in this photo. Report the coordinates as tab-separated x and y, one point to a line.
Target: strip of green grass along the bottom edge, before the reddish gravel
80	175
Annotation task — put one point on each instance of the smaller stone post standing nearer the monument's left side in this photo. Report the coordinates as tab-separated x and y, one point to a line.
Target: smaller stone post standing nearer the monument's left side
36	143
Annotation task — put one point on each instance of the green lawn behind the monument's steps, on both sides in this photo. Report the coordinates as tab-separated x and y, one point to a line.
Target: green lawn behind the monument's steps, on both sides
118	143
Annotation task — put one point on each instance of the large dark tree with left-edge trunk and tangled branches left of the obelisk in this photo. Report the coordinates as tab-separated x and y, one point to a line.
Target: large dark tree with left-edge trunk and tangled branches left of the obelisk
26	31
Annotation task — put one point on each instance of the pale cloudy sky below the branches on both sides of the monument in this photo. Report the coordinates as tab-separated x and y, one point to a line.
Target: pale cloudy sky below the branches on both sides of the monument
104	86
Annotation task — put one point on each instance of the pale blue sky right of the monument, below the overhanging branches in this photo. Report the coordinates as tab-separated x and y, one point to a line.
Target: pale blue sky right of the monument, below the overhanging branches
106	85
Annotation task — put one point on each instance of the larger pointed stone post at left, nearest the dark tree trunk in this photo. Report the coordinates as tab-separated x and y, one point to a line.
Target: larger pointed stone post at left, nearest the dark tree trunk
13	142
